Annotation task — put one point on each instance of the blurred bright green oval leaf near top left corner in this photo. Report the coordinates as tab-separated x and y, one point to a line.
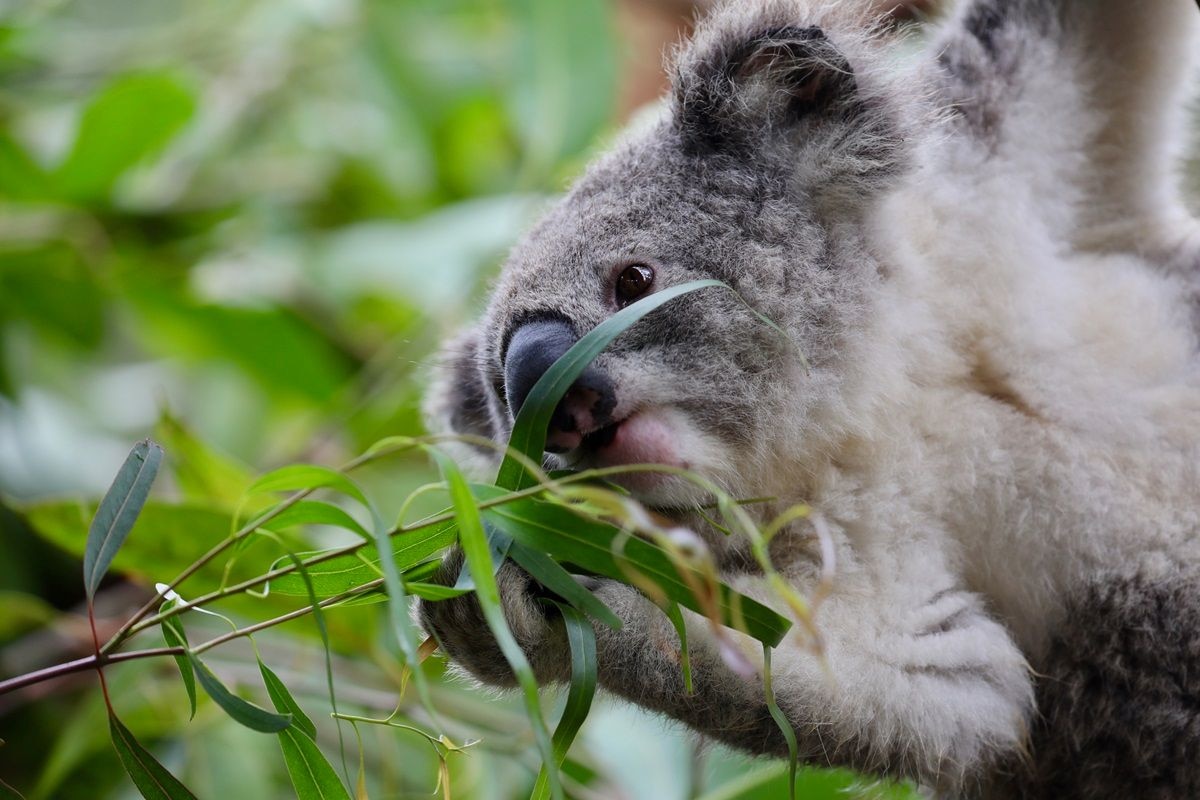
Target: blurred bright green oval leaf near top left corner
130	121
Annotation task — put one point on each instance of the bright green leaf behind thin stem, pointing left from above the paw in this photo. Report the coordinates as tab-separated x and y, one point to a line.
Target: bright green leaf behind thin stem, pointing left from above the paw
345	573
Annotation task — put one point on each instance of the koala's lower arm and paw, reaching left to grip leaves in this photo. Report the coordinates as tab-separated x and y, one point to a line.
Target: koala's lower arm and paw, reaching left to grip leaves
919	682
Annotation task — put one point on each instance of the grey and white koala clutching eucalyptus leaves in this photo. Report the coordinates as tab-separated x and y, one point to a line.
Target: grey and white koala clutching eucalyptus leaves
989	390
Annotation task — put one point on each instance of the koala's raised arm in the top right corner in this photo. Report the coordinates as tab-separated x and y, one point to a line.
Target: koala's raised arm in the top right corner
1085	101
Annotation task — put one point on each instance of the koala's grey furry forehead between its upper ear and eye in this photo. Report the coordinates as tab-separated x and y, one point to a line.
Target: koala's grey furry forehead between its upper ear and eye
651	202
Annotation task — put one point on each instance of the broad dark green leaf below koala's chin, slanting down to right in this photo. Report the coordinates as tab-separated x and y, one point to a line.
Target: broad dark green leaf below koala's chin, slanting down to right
591	545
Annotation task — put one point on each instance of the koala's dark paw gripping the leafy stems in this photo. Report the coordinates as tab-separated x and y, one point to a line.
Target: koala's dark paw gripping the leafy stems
461	629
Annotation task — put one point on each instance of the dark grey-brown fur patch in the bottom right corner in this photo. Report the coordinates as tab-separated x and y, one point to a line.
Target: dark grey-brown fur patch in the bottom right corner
1120	696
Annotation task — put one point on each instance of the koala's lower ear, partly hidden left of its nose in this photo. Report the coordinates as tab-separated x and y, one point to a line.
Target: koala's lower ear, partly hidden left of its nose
459	401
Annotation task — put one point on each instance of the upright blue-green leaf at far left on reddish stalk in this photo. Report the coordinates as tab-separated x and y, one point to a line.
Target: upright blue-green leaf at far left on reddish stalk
118	512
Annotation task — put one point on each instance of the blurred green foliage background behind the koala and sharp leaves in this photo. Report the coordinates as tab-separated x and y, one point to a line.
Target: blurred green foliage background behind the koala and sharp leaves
243	227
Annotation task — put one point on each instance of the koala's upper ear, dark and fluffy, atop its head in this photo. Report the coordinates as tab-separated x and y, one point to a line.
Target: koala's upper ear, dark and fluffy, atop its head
734	85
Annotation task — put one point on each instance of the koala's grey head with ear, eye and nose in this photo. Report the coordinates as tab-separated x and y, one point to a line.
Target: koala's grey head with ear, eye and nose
776	142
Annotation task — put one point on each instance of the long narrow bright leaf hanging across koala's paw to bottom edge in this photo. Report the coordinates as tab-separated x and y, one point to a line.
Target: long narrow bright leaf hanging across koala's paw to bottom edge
475	546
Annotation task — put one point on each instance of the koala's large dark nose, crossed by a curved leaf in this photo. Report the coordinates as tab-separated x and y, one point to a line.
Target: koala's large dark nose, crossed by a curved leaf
586	407
